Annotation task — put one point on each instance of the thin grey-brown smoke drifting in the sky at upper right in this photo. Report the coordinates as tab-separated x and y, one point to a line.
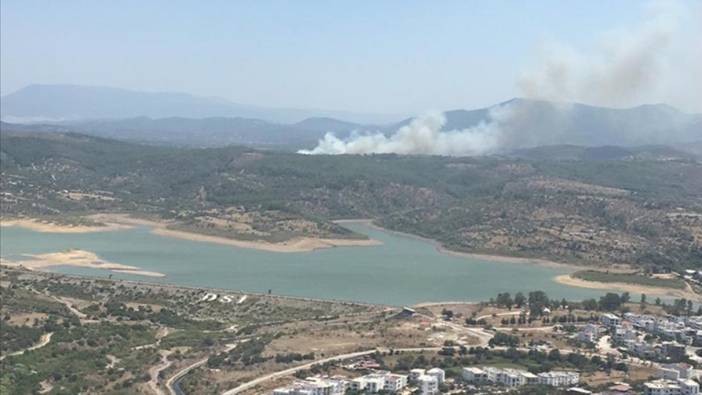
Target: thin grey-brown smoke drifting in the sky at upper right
626	67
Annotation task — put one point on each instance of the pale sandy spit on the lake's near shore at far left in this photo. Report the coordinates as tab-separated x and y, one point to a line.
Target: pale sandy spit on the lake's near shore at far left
77	258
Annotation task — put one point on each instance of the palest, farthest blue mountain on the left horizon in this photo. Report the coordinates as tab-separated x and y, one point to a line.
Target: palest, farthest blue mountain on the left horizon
41	103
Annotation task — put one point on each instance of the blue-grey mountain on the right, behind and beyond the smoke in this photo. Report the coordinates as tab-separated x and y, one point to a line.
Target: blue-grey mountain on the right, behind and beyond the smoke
532	123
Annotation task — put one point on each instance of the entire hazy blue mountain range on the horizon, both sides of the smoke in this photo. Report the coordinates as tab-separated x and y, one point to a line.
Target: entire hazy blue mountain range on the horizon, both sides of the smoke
523	123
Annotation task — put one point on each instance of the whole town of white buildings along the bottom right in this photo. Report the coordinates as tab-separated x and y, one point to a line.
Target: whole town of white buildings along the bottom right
666	344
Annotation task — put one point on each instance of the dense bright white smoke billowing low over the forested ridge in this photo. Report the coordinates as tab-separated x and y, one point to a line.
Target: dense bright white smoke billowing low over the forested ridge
422	136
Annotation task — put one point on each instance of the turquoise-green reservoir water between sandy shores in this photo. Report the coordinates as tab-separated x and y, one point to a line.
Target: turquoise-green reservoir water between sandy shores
401	271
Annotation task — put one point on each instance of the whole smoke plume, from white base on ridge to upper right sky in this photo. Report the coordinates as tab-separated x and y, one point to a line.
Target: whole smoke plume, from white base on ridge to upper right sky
660	58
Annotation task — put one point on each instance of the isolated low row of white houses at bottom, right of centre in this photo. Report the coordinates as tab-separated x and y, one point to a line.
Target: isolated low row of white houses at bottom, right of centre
517	378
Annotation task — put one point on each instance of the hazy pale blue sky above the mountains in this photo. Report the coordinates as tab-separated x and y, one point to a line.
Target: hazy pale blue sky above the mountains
367	56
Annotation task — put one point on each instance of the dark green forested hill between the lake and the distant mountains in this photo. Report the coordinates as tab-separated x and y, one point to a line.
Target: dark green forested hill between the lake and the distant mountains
637	209
